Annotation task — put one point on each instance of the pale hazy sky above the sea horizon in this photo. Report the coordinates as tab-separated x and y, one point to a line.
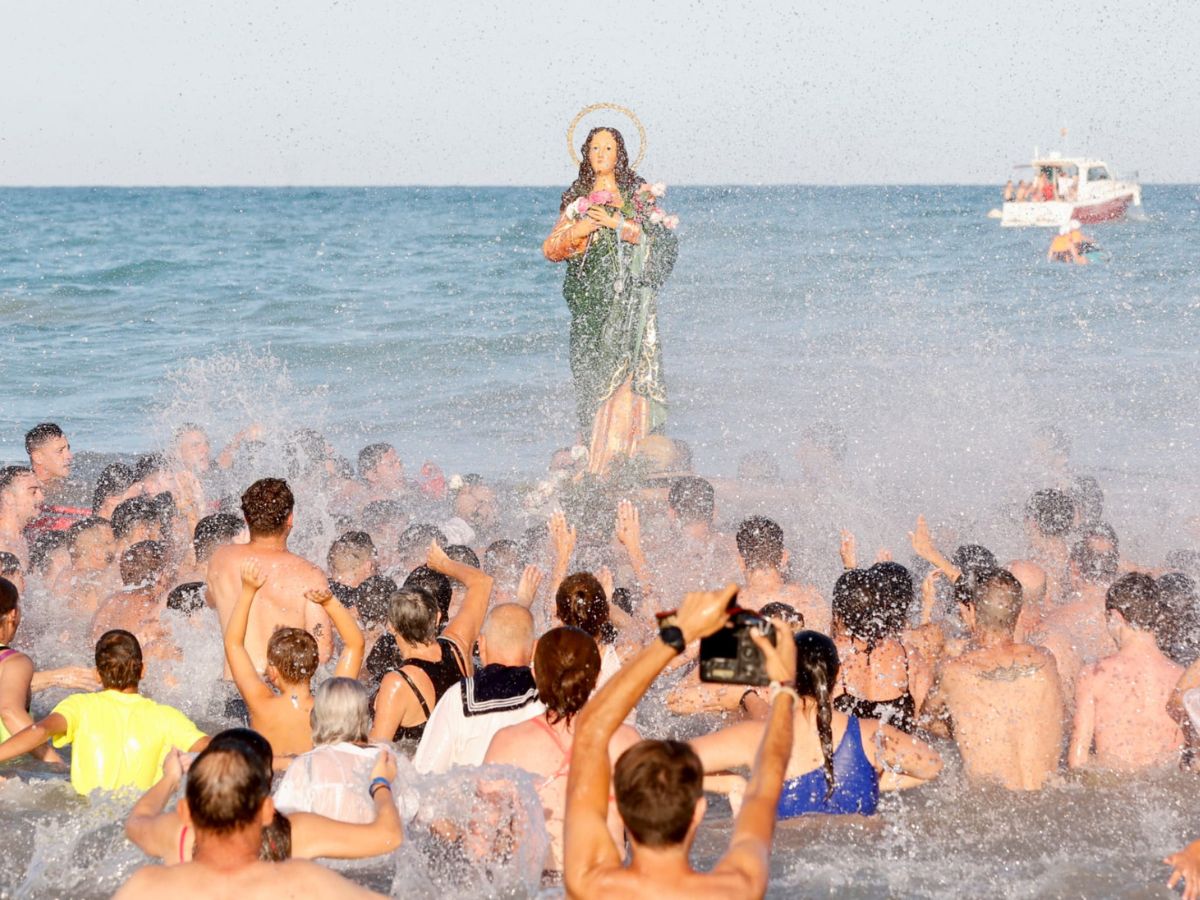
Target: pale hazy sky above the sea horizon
477	93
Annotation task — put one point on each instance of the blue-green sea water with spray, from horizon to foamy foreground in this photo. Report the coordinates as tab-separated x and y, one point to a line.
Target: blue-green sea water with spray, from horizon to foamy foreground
941	345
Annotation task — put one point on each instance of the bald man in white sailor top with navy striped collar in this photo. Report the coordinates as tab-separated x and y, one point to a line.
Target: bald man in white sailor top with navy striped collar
501	694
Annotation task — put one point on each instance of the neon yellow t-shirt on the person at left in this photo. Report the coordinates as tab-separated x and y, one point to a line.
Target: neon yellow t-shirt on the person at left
121	740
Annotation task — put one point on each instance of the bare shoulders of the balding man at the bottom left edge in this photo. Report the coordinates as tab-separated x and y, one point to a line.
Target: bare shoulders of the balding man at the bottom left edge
269	881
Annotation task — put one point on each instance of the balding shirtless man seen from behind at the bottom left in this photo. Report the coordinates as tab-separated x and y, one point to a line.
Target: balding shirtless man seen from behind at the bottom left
227	803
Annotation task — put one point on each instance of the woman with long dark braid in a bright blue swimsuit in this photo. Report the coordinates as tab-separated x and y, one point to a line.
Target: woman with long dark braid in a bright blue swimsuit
838	764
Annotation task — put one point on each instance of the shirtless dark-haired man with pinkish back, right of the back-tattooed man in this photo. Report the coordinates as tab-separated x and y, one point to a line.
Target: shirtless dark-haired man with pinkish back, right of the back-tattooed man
1121	701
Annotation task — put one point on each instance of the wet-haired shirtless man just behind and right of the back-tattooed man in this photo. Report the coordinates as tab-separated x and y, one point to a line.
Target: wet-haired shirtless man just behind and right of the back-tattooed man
1078	632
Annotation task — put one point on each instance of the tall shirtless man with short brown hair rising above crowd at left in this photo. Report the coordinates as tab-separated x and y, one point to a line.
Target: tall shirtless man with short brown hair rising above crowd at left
268	508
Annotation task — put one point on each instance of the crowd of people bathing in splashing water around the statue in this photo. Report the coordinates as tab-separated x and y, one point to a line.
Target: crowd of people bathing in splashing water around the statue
448	626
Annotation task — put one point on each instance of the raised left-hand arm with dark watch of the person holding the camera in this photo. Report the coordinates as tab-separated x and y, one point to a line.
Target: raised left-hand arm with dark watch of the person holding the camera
589	847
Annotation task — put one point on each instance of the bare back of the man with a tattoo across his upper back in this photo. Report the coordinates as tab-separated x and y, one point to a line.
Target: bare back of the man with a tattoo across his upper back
1007	710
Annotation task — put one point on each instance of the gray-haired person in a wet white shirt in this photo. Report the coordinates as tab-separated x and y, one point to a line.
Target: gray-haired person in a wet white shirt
334	778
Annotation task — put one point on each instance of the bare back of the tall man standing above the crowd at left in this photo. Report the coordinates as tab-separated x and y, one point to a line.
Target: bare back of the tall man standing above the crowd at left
280	604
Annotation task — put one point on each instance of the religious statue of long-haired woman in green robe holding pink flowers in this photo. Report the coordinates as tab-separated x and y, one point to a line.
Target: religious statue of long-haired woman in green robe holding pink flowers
620	250
